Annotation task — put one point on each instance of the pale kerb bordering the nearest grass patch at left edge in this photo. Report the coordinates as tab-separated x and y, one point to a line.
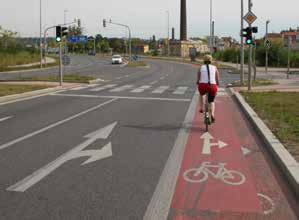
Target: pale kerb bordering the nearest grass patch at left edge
29	95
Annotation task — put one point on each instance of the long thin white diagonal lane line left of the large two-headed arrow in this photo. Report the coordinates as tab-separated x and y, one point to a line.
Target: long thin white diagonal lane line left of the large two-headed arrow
8	144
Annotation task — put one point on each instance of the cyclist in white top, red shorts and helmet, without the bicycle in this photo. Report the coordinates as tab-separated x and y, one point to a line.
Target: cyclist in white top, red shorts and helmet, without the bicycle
207	81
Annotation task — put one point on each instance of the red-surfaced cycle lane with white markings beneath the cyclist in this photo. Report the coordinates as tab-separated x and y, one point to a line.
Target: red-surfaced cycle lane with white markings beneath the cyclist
225	174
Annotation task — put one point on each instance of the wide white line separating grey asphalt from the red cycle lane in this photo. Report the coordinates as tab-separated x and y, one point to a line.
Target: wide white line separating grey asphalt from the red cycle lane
158	207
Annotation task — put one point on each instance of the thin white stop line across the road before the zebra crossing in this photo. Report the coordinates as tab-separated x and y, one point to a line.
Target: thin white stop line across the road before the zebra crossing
122	97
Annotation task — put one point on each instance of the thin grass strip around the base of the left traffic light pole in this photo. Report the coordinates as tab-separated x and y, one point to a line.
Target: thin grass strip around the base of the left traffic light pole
76	78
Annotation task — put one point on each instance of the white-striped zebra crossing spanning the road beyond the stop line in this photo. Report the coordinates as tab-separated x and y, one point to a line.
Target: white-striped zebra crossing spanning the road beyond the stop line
114	88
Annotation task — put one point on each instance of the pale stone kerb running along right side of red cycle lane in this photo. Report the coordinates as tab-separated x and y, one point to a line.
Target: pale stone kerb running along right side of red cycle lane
286	162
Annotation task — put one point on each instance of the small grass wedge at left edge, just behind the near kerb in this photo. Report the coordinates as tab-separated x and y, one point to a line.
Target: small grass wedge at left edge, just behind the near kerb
9	89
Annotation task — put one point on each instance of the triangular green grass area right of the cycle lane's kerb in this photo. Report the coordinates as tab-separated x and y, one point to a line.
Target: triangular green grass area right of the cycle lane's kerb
280	111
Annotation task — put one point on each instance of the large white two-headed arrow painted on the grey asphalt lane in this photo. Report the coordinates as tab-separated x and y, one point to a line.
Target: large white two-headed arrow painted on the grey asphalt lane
76	152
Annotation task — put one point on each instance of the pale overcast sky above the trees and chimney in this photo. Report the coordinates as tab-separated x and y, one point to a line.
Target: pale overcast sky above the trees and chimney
146	17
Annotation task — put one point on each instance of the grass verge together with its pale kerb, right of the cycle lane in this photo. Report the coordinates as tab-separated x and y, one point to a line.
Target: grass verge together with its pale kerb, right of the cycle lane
286	129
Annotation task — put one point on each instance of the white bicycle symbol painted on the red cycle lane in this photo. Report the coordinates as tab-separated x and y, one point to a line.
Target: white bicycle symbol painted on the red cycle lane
201	174
